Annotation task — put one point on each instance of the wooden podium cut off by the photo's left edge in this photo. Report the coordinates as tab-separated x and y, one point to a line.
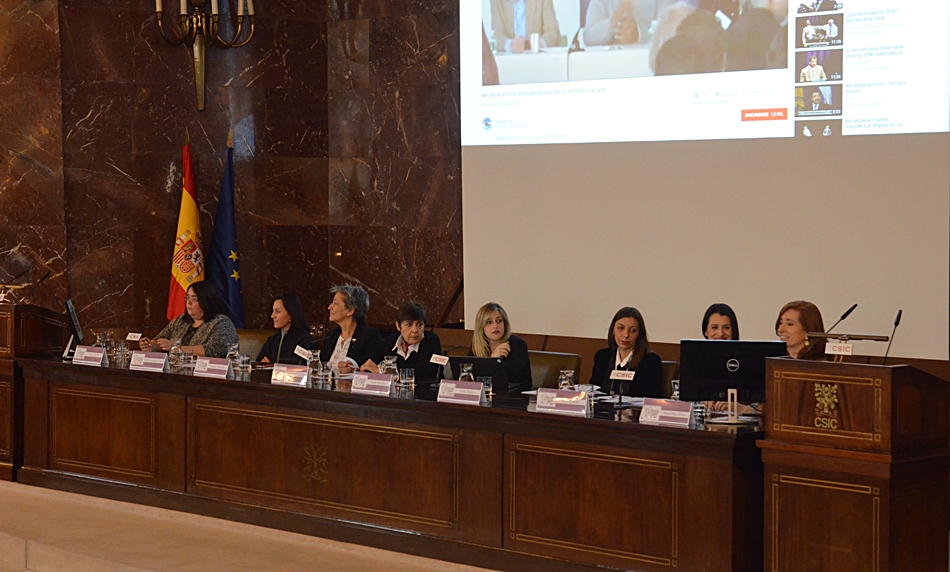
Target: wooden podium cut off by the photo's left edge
25	331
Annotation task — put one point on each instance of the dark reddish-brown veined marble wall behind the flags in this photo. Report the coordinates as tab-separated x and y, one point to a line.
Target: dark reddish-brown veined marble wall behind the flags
346	137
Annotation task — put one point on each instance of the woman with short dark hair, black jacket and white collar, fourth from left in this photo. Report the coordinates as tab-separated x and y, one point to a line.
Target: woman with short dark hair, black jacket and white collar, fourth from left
412	345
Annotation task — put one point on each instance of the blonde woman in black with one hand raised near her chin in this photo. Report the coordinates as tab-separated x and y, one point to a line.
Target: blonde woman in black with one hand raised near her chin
493	338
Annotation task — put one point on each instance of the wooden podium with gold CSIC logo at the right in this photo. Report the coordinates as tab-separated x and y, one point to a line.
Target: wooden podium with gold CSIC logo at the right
856	468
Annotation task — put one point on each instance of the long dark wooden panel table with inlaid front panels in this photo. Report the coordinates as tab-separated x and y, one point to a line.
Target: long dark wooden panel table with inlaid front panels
499	487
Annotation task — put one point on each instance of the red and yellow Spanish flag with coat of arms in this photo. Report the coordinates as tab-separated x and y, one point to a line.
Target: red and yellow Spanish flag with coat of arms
187	260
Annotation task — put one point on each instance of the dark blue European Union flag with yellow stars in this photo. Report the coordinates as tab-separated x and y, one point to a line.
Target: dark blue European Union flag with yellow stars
223	262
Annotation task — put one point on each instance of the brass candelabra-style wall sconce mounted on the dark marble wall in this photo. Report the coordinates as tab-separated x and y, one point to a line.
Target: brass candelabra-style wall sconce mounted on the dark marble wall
199	29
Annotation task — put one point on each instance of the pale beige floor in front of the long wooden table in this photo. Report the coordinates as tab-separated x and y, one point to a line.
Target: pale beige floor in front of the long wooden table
52	531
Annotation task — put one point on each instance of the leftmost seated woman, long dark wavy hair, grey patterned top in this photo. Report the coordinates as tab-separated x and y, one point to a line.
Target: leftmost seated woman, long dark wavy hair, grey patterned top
204	329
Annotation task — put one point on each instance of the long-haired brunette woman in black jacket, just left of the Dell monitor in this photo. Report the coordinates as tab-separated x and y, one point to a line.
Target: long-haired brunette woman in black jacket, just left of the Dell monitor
628	348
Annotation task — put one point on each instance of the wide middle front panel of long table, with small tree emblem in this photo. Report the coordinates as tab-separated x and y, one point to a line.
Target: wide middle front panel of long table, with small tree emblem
319	464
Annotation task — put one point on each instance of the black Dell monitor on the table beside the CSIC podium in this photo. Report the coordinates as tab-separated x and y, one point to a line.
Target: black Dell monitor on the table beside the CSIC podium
709	368
